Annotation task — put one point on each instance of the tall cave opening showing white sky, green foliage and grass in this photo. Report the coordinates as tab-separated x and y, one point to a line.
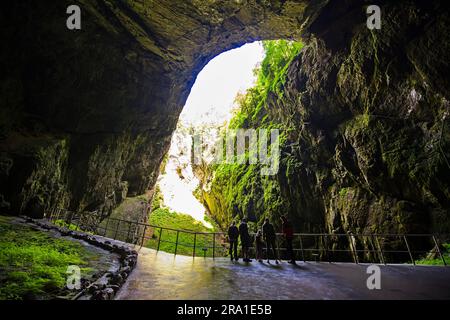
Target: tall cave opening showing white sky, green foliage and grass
219	137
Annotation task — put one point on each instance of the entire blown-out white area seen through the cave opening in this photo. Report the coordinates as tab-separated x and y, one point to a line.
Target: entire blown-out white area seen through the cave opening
210	102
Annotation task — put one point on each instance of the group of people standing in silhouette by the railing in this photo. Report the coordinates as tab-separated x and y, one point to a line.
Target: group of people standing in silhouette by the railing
267	234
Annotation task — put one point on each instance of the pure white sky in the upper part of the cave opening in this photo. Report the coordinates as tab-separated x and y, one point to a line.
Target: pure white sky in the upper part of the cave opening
212	96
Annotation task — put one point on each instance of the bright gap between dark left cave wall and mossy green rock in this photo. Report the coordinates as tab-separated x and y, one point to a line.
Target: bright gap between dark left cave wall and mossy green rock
209	108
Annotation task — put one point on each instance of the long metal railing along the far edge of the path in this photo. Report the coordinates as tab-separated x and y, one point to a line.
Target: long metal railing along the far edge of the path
357	248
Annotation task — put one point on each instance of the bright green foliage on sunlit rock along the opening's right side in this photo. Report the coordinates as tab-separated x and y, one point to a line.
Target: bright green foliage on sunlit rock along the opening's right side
242	190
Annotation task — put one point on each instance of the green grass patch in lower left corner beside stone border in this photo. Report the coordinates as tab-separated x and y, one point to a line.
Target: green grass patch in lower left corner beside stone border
33	264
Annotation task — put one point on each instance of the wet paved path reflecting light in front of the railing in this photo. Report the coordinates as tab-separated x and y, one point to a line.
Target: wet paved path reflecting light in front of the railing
164	276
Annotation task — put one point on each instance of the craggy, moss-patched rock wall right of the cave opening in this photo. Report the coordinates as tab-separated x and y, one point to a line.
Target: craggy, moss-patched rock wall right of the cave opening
365	145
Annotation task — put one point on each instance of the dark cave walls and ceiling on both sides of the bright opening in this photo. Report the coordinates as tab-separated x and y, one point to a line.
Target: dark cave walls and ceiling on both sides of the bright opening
87	116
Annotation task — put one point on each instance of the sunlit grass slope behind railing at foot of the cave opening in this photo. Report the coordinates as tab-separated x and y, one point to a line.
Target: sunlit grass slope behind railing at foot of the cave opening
165	218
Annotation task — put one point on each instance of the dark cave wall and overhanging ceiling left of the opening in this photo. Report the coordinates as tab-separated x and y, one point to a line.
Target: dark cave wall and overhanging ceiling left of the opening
87	116
